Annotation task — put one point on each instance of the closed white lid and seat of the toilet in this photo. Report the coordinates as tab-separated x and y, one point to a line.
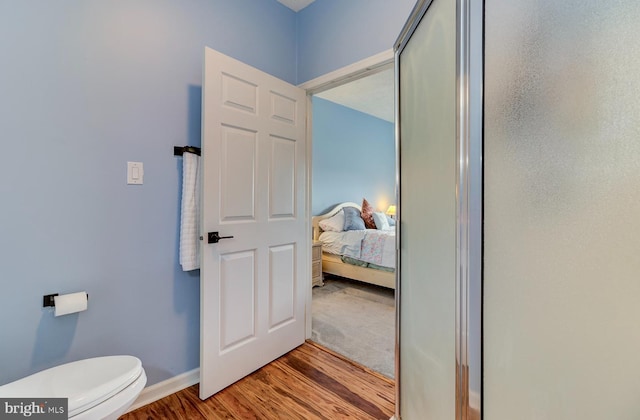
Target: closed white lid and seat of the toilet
86	383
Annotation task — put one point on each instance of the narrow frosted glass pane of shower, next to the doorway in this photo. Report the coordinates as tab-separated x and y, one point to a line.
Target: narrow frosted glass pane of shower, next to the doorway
427	263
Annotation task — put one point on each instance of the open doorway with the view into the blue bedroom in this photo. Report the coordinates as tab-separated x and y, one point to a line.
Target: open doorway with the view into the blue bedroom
352	307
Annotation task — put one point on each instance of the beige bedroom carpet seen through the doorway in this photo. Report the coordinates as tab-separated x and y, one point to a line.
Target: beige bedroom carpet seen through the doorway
356	320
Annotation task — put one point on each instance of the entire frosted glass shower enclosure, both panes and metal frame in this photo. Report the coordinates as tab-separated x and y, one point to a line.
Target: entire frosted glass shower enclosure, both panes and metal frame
518	132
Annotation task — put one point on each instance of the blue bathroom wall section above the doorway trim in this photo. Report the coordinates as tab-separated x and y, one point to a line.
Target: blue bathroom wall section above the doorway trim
335	33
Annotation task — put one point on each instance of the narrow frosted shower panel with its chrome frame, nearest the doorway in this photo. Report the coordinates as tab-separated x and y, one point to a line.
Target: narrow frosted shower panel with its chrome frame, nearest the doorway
439	129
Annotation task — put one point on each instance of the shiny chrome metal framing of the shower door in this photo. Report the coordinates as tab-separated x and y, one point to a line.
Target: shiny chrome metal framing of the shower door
469	131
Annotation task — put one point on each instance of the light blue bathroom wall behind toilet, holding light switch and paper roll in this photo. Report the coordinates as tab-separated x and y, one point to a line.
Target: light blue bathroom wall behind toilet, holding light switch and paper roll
85	86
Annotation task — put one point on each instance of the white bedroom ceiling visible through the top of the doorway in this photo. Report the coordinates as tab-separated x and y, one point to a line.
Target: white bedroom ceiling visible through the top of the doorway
373	95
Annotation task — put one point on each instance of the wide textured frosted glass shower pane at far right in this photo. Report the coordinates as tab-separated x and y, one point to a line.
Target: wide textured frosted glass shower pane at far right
562	210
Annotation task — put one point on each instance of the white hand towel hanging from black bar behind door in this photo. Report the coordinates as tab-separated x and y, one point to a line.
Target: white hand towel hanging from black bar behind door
190	213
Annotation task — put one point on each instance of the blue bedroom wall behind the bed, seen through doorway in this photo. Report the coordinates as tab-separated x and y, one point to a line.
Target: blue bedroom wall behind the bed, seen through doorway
353	157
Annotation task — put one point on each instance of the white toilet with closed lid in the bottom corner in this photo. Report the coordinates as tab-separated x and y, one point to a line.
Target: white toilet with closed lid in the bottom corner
97	388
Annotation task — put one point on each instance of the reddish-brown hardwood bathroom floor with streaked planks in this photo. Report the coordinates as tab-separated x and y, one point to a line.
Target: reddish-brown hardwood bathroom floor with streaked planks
310	382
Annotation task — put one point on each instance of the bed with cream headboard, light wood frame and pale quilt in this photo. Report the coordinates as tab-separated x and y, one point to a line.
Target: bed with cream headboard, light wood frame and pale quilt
332	262
